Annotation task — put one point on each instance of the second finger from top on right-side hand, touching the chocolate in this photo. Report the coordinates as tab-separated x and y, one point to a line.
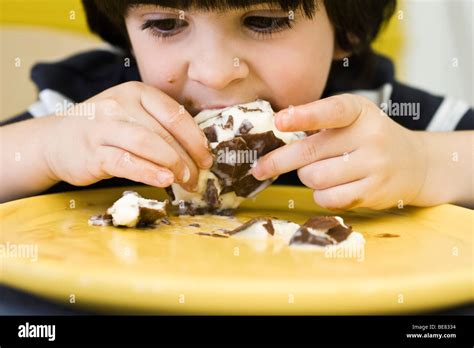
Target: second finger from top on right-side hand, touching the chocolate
327	144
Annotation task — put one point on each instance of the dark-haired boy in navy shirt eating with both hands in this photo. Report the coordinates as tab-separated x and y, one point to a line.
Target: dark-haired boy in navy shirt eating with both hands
310	59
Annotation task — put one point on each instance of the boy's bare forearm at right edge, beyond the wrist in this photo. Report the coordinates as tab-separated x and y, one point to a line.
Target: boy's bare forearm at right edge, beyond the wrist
449	174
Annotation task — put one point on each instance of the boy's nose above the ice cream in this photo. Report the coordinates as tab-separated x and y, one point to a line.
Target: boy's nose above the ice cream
214	67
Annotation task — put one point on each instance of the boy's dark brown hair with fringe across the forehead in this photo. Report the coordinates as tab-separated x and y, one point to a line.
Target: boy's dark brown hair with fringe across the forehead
356	22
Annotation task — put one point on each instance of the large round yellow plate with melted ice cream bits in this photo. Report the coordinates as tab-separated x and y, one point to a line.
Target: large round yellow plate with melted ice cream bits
170	269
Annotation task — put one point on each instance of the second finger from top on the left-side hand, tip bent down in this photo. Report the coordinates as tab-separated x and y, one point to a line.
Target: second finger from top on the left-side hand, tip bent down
146	144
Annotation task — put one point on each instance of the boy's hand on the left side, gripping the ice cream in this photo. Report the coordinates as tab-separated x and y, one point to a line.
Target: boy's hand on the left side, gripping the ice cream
135	132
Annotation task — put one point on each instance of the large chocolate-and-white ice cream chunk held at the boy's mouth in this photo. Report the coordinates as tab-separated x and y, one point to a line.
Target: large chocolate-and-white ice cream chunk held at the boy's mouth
238	135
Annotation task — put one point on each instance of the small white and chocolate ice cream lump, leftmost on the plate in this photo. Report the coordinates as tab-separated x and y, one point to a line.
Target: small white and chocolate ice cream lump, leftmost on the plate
131	210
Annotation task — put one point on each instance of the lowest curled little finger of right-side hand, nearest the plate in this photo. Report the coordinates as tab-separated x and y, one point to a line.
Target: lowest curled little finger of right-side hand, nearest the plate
346	196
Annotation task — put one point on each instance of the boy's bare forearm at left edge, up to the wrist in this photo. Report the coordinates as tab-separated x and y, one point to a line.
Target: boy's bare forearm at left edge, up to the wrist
24	169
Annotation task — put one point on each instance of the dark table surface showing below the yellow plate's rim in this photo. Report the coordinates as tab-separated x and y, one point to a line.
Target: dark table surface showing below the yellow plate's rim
17	302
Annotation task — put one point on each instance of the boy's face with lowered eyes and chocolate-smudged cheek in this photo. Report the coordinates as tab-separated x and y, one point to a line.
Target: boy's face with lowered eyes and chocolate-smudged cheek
211	59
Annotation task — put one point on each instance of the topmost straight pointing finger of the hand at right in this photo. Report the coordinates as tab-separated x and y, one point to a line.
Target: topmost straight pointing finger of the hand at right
333	112
